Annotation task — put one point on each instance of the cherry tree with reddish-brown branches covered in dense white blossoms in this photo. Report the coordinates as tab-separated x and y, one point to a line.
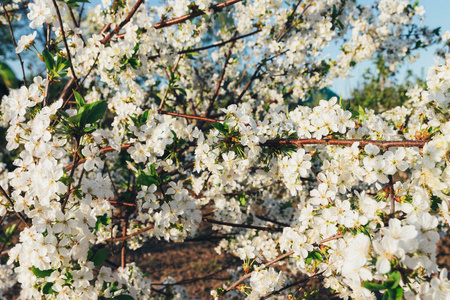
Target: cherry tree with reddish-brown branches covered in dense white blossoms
150	121
